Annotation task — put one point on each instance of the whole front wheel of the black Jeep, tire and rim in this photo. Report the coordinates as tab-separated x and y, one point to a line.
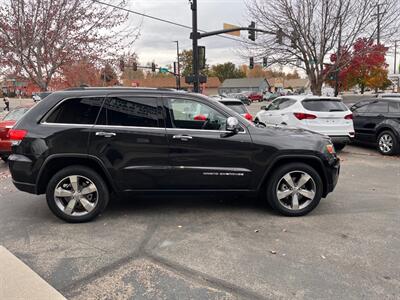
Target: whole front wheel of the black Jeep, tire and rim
294	189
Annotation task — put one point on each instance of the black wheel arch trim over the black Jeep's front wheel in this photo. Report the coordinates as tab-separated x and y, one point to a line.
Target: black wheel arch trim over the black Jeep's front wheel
310	160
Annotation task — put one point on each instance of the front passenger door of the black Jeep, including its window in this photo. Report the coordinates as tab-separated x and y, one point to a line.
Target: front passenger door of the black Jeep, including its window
202	155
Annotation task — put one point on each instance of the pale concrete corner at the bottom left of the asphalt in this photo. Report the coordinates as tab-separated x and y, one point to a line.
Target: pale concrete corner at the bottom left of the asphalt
18	281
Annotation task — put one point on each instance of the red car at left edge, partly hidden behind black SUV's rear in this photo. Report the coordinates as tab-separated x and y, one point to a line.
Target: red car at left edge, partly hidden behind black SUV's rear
5	125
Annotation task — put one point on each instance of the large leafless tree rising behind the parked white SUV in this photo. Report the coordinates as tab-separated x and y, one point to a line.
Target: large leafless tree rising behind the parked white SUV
309	31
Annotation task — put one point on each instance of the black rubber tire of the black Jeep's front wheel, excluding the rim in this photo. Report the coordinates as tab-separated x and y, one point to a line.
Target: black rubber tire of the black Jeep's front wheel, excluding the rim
274	180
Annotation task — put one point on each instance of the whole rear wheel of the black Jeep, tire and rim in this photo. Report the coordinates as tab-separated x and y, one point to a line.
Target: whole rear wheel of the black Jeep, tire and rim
77	194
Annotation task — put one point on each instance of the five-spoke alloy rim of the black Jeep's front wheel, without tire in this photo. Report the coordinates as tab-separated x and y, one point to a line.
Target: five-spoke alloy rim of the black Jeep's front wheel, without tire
296	190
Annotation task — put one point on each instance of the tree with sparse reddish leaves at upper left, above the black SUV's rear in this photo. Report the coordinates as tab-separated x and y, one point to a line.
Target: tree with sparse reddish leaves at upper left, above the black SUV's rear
39	37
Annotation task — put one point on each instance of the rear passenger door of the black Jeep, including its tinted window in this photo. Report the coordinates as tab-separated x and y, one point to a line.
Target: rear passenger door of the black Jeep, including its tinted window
129	138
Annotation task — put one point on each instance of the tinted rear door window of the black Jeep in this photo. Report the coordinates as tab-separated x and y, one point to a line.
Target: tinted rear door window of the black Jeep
129	111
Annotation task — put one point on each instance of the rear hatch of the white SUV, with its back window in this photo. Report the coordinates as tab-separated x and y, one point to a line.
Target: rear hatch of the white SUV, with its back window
330	117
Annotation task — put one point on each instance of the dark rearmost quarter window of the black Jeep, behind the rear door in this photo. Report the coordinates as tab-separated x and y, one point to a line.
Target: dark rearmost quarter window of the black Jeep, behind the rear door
76	111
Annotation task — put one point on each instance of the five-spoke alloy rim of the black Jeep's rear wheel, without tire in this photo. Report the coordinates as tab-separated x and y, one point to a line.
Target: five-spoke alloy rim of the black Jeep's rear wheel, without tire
76	195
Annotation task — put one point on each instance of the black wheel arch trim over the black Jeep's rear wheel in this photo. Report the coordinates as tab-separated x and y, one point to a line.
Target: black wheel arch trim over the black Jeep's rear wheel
56	162
